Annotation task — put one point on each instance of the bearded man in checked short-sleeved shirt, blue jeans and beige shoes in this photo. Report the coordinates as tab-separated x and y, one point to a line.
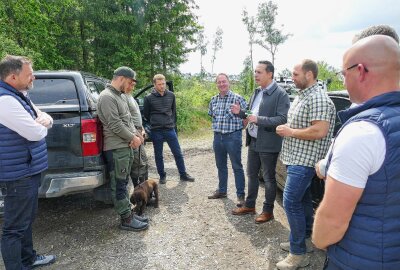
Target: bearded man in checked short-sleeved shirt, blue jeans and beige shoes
307	136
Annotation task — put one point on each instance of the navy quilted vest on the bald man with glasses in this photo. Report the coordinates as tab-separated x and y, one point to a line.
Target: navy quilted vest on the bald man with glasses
372	240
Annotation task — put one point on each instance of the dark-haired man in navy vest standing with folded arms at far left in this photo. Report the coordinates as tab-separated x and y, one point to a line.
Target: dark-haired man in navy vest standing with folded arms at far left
23	156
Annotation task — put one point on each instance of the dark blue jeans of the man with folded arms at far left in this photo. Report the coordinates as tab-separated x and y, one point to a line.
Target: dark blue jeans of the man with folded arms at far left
20	209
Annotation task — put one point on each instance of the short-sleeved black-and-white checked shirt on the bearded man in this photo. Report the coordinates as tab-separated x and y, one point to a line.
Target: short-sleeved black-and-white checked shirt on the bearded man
310	105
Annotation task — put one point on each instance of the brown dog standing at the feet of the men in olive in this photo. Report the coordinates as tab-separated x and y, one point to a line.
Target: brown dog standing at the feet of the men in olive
142	195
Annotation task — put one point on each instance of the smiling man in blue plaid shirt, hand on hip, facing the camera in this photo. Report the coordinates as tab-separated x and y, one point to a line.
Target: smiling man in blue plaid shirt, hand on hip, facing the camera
227	129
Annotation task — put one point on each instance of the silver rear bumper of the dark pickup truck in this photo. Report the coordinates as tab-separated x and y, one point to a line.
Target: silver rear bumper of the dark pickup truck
57	185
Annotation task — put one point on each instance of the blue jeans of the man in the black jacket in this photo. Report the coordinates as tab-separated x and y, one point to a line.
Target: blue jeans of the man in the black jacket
169	136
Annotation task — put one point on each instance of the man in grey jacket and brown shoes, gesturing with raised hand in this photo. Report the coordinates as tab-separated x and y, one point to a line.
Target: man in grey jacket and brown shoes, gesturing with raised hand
269	105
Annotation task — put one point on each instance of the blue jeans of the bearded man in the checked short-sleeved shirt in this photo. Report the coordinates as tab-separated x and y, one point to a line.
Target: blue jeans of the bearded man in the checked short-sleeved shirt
297	202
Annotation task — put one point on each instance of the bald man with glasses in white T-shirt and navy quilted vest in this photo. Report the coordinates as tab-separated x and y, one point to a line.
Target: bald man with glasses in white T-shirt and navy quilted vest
358	221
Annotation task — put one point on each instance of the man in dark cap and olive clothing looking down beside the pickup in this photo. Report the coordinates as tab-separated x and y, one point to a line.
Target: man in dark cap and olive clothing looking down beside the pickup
120	138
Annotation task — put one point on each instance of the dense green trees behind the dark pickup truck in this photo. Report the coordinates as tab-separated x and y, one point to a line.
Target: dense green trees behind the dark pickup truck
99	35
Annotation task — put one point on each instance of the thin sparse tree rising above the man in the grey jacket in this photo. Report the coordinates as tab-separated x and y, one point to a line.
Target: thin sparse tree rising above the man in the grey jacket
271	37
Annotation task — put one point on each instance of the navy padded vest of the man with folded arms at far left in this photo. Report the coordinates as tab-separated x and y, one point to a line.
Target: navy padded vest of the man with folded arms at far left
19	157
